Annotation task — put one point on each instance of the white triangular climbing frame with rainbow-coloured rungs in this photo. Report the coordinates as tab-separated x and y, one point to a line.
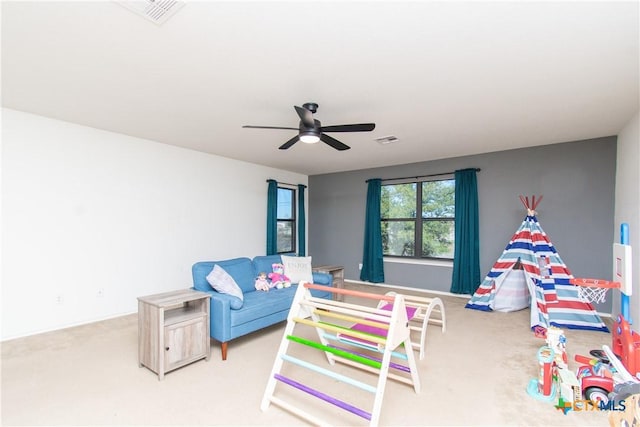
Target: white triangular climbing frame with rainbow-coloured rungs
348	334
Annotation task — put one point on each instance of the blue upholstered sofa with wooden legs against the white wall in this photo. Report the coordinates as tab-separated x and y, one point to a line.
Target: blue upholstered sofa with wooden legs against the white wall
259	309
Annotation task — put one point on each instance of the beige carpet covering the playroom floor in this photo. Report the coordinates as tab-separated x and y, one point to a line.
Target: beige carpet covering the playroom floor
474	374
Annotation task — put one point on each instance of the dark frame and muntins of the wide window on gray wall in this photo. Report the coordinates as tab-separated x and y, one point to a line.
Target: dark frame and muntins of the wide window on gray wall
418	219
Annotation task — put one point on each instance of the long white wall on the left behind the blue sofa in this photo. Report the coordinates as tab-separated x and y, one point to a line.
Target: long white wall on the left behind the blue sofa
92	219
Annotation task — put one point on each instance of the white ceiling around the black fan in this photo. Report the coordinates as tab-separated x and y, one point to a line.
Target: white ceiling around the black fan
447	78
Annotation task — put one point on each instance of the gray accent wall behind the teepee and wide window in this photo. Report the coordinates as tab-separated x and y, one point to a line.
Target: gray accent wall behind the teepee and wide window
577	180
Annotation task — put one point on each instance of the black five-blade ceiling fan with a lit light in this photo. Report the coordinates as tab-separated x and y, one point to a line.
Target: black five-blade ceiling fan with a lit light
311	131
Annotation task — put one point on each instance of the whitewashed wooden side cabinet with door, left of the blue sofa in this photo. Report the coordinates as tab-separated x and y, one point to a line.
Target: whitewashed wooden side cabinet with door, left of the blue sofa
173	330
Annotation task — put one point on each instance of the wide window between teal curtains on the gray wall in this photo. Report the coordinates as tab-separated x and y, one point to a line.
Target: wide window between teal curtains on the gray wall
433	230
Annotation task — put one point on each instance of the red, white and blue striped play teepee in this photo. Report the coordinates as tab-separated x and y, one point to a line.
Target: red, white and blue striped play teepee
554	300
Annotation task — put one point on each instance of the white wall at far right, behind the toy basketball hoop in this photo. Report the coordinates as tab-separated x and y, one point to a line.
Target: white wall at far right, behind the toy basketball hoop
627	207
